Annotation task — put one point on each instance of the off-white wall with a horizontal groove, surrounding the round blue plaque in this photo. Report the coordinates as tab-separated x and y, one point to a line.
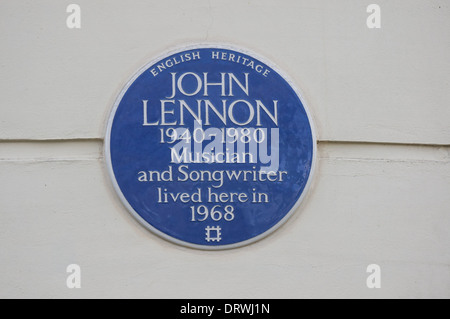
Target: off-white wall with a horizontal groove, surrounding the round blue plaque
381	104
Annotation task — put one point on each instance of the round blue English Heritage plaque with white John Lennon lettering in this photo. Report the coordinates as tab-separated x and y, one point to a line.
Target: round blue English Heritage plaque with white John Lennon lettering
210	147
